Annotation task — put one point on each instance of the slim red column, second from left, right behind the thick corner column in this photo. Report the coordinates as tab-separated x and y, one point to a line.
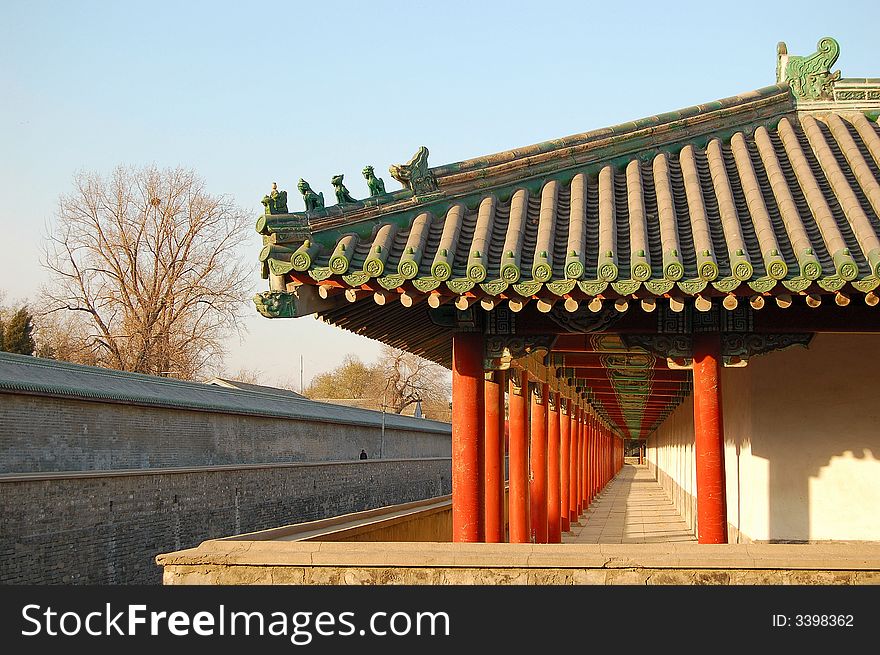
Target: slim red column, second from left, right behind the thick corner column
494	479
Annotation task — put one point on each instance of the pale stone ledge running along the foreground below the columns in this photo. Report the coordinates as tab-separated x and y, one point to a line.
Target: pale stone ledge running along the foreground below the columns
567	559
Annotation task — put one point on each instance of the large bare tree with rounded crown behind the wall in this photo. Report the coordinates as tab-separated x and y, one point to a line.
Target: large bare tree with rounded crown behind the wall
150	258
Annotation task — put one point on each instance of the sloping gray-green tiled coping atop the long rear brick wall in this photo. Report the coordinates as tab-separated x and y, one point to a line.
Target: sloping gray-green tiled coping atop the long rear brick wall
48	377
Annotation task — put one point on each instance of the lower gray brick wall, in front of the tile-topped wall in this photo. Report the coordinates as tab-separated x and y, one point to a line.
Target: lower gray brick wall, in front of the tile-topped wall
107	528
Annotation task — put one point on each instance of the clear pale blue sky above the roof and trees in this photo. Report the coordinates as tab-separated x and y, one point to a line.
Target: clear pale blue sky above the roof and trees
246	94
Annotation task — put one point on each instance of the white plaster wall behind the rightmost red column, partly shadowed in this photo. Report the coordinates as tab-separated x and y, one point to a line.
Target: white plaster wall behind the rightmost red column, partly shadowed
802	444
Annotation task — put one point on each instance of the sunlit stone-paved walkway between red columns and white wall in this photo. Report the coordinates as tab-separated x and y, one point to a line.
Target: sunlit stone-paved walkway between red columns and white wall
632	509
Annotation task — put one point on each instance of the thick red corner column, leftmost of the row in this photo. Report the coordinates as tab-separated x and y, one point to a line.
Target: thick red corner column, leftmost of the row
467	437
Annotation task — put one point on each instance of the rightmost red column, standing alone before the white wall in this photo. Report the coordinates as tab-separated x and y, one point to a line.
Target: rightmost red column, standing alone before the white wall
709	441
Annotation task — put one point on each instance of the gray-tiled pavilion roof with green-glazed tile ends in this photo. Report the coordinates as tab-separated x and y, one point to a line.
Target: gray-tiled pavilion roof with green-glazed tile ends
740	196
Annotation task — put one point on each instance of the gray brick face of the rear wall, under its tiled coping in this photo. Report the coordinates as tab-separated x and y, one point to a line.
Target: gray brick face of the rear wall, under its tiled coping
46	433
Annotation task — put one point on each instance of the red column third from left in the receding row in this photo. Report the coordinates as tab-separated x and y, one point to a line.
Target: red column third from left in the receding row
518	447
